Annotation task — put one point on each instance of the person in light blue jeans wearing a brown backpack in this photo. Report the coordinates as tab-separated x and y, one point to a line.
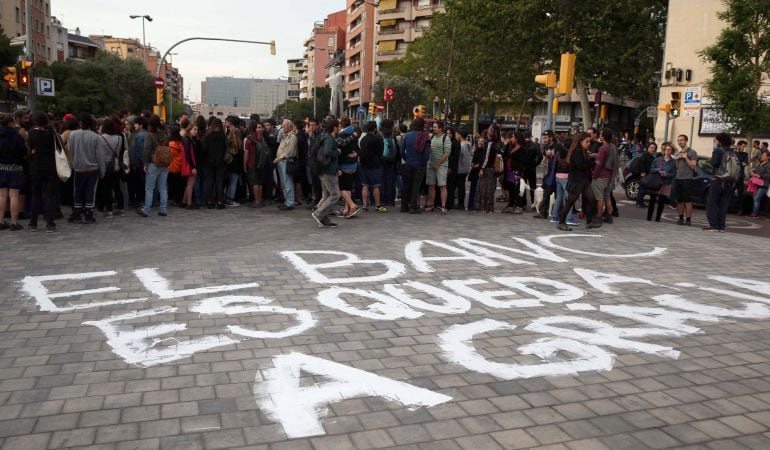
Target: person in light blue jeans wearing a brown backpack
157	176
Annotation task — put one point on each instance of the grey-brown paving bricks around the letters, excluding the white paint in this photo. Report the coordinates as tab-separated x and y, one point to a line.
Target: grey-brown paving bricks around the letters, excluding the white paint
61	385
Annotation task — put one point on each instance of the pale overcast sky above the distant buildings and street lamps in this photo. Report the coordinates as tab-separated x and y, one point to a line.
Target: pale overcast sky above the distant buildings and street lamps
289	22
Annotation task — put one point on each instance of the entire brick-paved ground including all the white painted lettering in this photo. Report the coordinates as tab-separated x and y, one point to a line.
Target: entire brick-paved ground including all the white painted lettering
137	338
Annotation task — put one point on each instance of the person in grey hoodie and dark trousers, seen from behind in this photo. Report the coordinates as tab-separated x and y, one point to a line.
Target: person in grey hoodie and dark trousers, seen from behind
88	165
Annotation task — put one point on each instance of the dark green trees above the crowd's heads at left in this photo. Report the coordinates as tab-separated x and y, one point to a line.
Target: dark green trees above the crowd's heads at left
102	86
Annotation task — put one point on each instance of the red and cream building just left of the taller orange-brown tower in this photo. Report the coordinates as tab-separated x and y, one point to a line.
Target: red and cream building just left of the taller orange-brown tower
326	40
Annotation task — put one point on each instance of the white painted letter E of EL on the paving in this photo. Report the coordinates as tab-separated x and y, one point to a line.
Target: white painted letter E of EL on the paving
33	287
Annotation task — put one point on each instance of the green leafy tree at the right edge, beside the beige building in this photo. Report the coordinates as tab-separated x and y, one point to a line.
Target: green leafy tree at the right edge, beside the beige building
739	60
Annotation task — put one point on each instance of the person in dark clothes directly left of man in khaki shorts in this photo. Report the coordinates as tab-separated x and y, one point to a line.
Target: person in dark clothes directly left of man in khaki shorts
415	148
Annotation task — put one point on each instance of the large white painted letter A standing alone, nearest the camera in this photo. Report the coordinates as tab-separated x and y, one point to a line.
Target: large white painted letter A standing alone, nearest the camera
299	409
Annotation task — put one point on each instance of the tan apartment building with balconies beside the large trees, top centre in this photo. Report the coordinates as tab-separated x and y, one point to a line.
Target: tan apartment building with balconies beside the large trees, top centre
399	23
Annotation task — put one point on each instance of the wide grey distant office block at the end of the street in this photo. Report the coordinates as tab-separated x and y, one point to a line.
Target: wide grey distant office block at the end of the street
225	96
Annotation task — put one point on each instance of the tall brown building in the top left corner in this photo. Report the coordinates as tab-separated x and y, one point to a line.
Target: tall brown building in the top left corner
13	19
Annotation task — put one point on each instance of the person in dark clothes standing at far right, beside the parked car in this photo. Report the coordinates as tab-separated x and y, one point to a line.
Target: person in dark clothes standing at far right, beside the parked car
722	183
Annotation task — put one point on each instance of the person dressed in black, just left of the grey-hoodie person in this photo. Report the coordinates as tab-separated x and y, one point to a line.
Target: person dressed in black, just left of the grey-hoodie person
42	170
